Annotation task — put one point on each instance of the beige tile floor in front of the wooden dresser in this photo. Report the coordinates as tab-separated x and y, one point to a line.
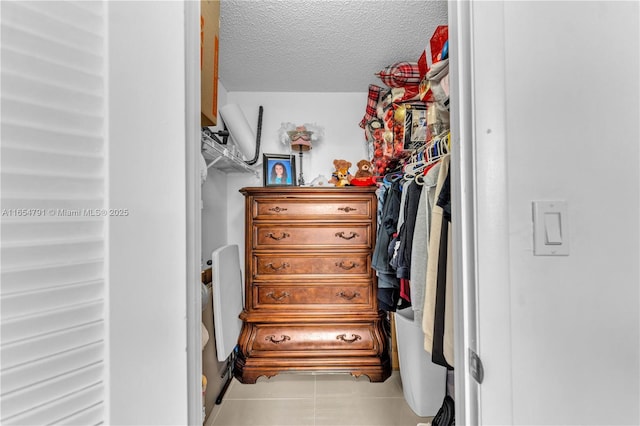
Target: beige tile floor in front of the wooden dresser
315	400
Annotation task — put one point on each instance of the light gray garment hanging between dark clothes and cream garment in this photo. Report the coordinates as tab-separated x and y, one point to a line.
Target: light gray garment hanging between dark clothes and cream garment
420	242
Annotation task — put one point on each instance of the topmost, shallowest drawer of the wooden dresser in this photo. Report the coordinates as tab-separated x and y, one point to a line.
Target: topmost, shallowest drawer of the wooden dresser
316	208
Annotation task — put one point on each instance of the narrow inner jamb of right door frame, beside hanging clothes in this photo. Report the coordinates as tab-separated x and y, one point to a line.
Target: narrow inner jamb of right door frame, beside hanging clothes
462	210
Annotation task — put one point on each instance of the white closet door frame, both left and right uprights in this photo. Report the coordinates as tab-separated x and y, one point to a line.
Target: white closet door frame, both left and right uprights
479	188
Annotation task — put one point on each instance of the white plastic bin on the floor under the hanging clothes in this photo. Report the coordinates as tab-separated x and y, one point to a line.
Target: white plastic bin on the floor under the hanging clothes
423	382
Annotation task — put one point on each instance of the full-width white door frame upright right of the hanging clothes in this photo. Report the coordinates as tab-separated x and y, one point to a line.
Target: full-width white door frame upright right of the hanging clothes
482	296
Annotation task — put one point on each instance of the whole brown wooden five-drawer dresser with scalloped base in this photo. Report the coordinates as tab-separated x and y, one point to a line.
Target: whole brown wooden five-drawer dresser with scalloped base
310	292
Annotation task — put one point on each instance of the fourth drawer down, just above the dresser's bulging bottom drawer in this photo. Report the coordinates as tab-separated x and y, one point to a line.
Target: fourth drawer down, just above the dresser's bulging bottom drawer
308	297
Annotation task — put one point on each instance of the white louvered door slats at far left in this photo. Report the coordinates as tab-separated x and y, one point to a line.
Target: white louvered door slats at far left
53	226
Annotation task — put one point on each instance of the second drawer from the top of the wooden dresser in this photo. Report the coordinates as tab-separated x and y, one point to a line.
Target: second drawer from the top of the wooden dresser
312	236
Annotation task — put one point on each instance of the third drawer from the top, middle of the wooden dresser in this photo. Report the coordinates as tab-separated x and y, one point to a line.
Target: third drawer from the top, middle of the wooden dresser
296	266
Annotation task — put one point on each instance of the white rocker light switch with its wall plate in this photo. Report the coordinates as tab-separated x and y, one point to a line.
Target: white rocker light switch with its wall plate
550	229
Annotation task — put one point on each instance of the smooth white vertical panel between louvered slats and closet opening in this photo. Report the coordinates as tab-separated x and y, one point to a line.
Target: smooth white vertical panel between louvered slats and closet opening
147	249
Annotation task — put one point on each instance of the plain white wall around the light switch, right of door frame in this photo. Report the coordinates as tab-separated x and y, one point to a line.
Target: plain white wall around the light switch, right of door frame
571	101
